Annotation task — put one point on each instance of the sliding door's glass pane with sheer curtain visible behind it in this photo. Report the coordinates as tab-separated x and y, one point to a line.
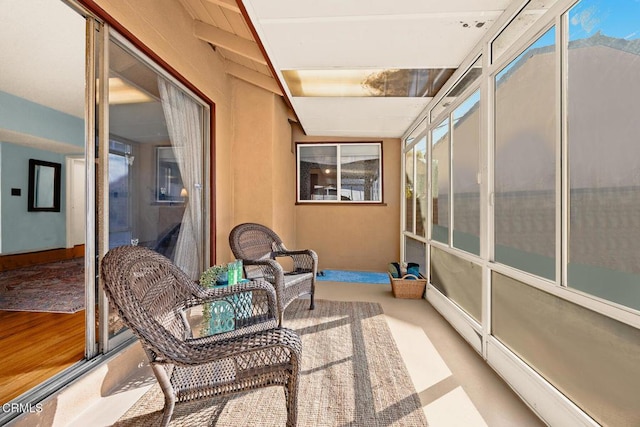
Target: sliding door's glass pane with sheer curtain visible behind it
156	139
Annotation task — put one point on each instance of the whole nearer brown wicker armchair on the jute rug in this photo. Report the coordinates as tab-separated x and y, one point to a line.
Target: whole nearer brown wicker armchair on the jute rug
151	295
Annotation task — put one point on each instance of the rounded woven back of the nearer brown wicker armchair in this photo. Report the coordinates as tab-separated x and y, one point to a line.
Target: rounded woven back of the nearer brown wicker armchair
148	291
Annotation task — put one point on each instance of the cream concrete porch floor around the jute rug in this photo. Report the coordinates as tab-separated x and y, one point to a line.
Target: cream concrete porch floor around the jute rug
456	387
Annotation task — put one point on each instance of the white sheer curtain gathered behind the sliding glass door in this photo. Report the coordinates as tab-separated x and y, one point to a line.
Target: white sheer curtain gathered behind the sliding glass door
184	123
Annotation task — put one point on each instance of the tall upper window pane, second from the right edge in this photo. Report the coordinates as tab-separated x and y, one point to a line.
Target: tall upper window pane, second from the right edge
525	160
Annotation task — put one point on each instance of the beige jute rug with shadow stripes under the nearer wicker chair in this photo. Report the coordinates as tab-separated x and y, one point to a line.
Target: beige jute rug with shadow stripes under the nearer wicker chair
352	375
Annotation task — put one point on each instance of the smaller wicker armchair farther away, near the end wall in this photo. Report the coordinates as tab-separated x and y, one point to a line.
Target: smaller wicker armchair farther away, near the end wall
258	247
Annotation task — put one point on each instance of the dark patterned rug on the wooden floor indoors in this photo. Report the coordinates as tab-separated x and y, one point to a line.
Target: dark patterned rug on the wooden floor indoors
54	288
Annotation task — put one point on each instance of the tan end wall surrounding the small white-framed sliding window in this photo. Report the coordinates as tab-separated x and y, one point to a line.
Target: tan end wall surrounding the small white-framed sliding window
355	237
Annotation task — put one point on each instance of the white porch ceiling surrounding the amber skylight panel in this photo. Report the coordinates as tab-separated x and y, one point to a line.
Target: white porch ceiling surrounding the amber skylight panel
367	34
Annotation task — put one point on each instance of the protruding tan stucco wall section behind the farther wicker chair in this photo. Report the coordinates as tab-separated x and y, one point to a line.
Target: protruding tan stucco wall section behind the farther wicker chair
262	163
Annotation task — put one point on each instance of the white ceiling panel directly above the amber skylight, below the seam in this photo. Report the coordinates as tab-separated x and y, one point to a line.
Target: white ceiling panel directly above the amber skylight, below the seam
407	42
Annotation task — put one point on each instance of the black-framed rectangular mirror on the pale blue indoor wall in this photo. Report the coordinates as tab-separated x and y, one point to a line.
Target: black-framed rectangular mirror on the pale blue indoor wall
44	186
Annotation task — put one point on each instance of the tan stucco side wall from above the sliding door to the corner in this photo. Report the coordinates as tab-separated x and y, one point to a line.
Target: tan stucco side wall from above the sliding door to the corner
252	137
